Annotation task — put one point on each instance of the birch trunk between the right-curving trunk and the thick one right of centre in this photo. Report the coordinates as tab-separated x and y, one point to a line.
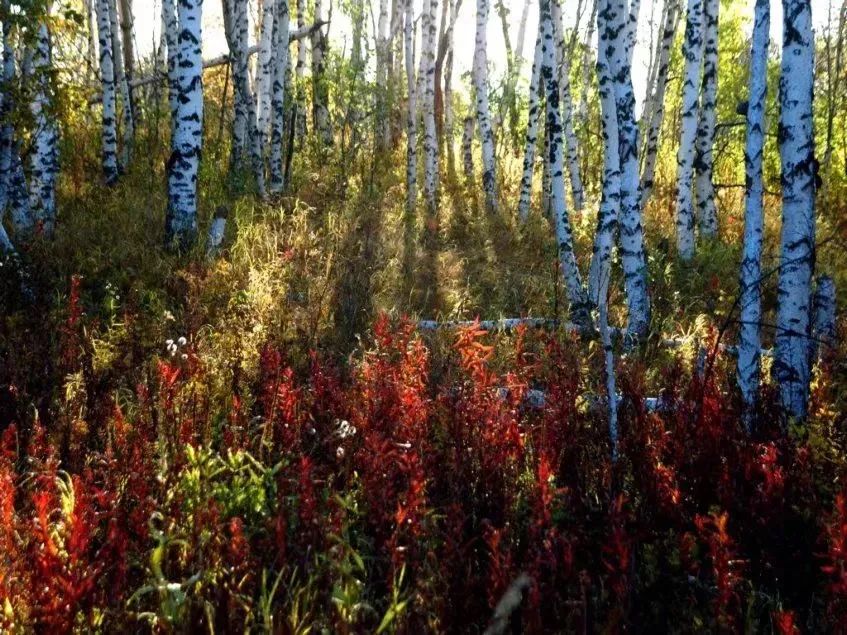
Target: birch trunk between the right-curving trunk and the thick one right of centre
600	272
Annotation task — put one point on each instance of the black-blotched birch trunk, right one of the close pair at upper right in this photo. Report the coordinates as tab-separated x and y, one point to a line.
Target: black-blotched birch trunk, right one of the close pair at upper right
707	212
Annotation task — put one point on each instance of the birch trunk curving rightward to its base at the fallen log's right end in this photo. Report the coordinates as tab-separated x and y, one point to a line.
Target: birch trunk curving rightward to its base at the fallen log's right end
579	305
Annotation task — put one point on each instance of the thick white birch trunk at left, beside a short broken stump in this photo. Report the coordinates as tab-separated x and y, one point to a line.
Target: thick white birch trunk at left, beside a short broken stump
186	146
